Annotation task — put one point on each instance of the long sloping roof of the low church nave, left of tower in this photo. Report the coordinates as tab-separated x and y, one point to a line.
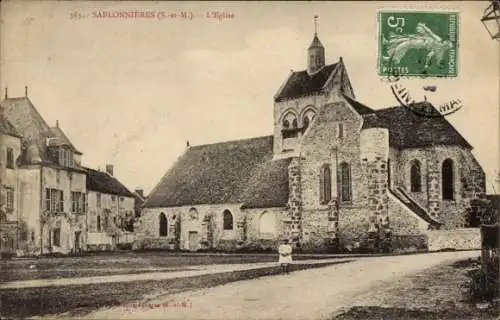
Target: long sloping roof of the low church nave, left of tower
239	171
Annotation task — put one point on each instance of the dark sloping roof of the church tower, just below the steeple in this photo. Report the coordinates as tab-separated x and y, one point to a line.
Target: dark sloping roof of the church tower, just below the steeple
300	83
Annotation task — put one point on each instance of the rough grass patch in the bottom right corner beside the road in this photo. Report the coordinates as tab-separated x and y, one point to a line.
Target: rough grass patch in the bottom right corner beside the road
436	293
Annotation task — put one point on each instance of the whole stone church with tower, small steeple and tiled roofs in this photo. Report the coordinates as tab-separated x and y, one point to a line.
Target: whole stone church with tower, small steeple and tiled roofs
333	174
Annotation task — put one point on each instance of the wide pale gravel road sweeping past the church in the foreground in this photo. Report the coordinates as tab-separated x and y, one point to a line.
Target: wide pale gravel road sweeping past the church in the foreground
309	294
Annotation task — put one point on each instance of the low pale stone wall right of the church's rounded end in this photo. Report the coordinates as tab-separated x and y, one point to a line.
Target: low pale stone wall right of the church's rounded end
459	239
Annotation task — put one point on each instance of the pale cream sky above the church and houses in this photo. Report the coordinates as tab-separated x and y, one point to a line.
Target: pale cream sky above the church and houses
131	92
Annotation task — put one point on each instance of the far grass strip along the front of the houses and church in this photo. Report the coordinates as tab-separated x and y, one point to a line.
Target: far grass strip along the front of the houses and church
114	263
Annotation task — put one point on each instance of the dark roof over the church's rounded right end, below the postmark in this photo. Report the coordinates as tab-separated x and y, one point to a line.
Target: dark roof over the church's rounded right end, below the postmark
410	130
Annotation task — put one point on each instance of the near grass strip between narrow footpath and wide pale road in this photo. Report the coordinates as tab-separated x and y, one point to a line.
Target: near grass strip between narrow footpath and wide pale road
78	300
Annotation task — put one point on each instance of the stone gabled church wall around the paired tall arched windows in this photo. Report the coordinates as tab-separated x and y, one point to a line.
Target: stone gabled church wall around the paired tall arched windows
322	145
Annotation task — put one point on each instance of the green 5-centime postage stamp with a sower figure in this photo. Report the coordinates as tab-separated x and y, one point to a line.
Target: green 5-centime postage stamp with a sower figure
417	43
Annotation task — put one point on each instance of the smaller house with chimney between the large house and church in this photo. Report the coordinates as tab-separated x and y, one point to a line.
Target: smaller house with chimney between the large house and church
111	211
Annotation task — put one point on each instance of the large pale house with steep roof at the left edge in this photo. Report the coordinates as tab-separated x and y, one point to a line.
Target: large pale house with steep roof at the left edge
43	181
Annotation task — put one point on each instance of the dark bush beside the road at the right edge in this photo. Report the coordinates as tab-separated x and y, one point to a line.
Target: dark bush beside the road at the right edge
484	282
